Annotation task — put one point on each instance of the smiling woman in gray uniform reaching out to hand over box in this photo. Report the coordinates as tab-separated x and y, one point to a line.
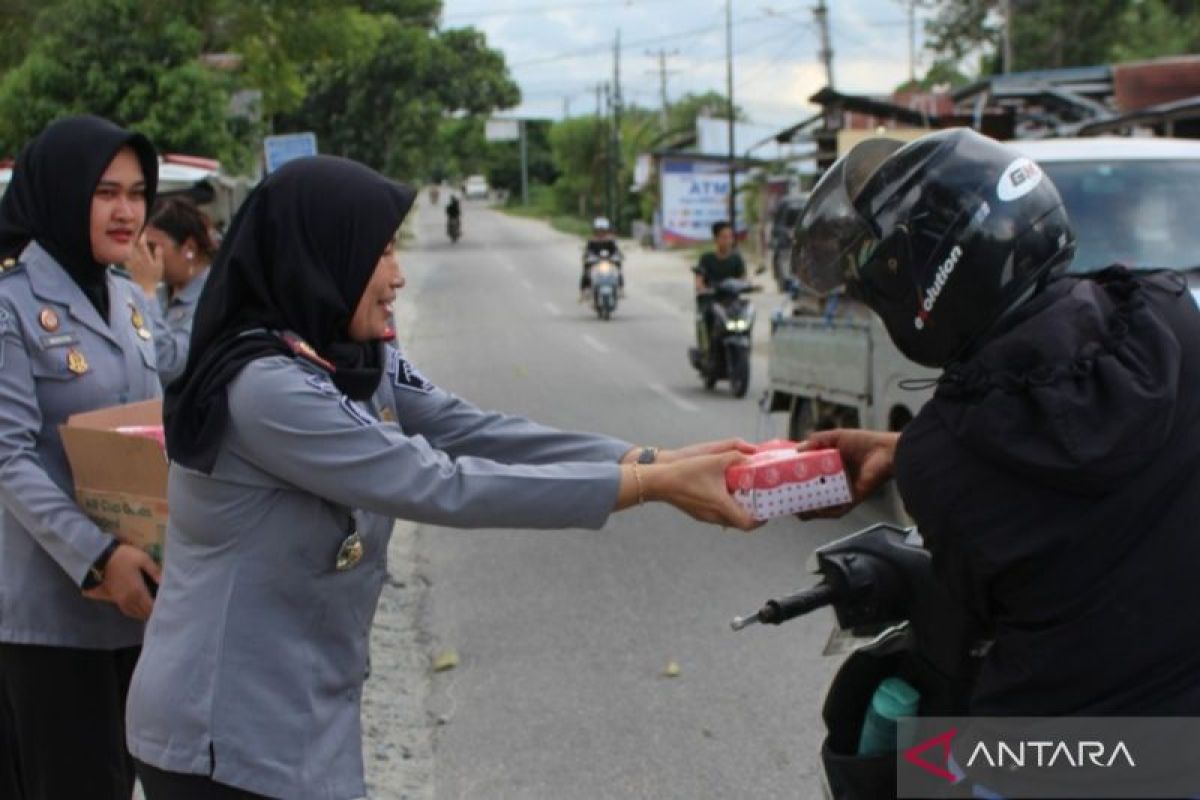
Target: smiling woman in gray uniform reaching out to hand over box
298	434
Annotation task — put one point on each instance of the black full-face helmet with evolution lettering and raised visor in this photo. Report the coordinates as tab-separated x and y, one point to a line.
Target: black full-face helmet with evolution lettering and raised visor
939	237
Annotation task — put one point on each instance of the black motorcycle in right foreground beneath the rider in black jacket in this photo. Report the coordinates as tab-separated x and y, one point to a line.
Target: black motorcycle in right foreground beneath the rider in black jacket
881	585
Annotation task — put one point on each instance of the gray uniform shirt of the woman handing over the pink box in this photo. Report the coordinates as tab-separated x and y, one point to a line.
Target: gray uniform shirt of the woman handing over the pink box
257	649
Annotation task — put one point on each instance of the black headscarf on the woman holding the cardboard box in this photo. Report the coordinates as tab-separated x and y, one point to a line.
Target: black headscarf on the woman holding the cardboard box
50	197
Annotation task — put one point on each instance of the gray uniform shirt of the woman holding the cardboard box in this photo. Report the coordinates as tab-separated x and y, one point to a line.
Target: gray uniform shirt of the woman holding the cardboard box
46	543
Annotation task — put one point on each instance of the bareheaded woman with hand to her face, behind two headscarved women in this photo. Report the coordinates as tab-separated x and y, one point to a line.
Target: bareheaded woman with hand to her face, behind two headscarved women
171	264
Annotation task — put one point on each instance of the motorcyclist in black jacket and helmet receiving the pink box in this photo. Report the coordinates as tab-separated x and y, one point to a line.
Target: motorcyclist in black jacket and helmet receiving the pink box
1055	474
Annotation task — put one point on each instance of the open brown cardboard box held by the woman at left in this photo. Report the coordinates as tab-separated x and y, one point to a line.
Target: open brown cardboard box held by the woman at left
122	478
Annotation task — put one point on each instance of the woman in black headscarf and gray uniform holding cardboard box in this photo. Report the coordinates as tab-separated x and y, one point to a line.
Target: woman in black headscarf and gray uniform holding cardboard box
73	339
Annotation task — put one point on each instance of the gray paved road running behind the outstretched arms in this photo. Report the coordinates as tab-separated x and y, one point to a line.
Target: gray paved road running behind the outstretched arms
565	637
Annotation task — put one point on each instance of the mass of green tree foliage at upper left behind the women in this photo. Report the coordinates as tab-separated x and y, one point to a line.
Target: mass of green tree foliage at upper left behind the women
374	79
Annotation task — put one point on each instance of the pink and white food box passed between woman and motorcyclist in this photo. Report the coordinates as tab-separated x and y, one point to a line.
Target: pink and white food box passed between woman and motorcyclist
778	482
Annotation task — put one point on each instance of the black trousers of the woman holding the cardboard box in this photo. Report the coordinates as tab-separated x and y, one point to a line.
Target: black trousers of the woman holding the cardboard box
63	723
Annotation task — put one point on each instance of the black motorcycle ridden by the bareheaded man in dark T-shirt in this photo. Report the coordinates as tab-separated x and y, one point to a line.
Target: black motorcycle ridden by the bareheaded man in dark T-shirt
723	351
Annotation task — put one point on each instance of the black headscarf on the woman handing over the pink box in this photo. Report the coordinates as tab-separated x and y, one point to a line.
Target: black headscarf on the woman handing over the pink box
297	258
